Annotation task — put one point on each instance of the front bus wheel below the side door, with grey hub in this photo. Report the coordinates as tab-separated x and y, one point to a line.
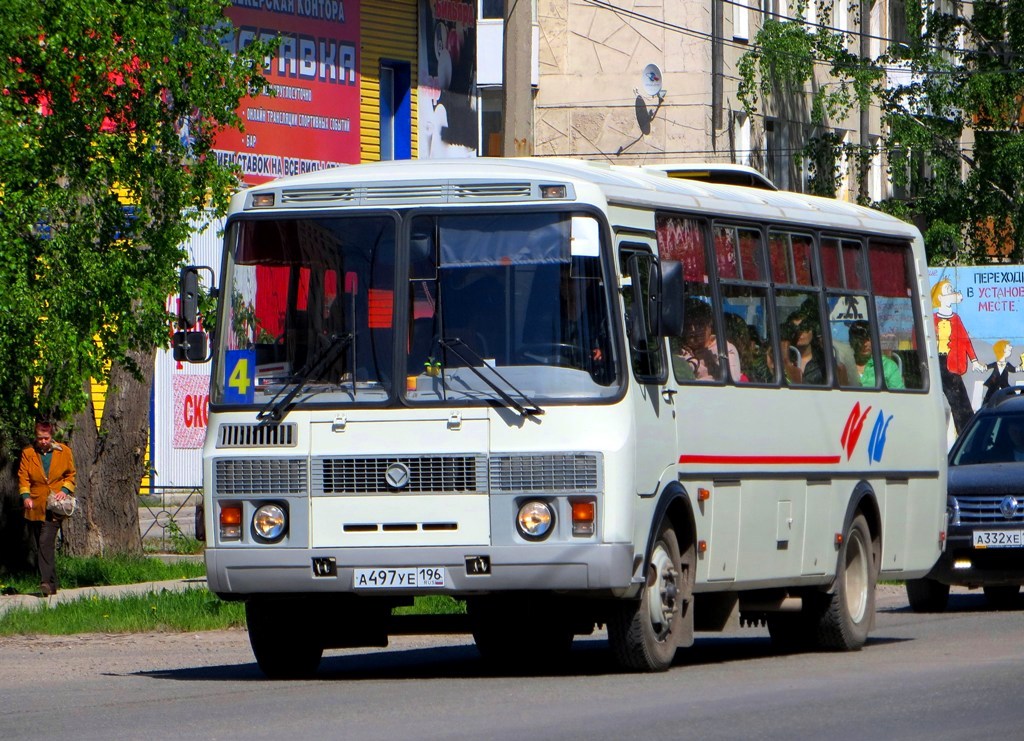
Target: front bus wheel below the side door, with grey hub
645	634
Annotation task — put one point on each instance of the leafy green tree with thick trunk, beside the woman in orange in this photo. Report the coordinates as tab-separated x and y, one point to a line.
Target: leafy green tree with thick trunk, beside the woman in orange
108	114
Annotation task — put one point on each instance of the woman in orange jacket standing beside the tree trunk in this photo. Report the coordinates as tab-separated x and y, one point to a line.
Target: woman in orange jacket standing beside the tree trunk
47	467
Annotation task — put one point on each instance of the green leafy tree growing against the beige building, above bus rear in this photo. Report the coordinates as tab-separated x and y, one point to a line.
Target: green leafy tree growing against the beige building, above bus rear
951	90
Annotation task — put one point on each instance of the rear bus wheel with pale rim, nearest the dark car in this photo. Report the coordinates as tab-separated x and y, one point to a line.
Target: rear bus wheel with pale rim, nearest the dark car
844	618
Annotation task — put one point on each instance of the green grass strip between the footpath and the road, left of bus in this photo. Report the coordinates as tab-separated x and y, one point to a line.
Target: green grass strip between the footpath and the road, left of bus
166	612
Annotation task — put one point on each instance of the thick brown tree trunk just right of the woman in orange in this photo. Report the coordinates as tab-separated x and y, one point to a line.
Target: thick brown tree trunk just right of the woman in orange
111	465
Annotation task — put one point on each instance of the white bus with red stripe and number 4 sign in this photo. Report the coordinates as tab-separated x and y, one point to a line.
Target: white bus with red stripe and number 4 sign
573	396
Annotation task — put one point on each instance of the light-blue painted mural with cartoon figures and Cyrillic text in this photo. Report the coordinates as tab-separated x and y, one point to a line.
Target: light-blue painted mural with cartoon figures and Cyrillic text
979	325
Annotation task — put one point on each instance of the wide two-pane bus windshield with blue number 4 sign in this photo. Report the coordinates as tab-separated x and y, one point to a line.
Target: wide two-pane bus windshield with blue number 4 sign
495	307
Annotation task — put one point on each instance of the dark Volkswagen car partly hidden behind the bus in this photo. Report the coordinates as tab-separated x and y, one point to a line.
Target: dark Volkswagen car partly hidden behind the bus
985	510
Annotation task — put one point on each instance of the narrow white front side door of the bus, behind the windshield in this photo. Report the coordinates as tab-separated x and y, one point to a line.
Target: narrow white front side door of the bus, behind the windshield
653	393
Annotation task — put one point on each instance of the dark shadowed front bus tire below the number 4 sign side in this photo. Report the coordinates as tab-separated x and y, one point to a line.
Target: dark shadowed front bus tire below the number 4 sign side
285	649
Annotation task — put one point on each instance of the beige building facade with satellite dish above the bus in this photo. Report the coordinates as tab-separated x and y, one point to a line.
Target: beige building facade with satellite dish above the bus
591	101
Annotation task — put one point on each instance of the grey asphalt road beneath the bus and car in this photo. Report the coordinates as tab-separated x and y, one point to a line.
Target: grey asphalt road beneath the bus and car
952	676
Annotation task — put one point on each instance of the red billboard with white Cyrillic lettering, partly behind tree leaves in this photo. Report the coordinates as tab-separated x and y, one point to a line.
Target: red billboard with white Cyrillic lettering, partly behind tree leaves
312	120
